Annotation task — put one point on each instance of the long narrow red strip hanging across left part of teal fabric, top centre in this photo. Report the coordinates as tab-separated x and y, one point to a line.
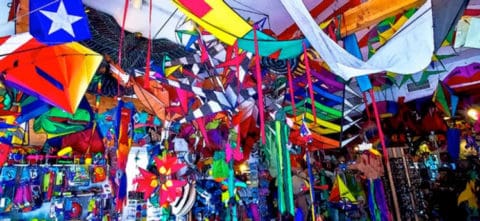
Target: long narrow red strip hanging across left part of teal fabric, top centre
259	87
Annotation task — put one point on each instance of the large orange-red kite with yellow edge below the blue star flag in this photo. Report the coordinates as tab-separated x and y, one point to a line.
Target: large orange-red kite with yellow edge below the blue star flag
59	75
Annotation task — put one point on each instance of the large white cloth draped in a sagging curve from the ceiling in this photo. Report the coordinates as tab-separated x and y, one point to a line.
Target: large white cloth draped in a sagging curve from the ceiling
409	51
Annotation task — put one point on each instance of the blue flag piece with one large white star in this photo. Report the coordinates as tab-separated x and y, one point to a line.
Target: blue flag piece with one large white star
58	21
